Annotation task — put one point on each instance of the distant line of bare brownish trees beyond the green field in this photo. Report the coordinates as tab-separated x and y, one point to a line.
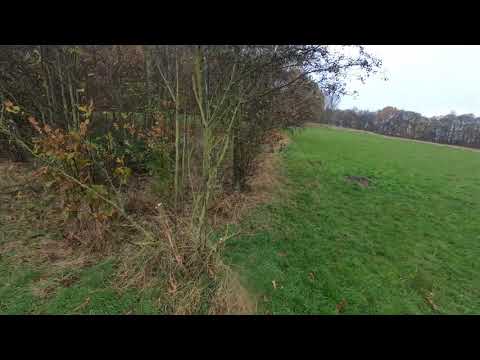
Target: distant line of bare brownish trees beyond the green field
462	130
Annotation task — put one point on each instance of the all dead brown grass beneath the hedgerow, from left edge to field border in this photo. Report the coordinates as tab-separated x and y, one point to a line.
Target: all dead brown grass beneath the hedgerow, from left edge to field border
170	262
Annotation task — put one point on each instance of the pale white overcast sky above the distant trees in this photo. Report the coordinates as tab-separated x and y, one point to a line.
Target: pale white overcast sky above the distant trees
431	80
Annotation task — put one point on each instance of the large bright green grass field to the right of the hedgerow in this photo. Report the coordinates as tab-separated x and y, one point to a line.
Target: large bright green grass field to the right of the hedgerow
384	248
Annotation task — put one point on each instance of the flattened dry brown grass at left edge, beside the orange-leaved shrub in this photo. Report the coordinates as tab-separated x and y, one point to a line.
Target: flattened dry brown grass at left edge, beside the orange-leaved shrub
30	222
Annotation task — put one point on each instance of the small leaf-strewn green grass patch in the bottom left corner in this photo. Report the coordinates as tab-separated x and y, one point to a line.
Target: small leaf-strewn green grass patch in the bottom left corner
92	292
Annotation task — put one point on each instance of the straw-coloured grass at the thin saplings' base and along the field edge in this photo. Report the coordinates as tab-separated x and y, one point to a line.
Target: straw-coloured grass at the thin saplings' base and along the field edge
175	253
